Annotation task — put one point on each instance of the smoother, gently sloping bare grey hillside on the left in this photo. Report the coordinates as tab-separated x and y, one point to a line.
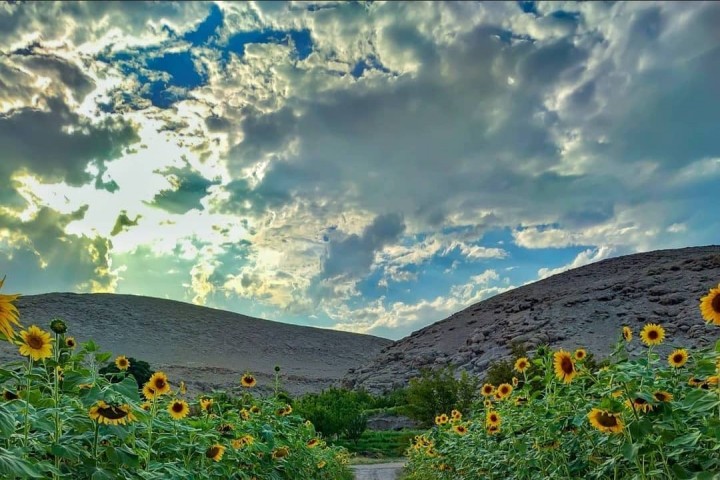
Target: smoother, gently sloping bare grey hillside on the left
206	348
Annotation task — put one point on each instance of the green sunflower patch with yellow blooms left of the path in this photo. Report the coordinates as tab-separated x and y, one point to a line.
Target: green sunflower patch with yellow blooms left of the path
61	419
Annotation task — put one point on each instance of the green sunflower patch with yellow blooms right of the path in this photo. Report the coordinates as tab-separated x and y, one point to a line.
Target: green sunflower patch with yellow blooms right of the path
650	417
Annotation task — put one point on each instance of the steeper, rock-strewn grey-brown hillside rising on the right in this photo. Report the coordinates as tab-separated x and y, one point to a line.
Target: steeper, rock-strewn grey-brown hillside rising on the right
585	307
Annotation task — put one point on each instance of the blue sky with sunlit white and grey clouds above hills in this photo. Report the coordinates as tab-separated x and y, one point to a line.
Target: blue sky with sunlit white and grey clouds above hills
365	166
